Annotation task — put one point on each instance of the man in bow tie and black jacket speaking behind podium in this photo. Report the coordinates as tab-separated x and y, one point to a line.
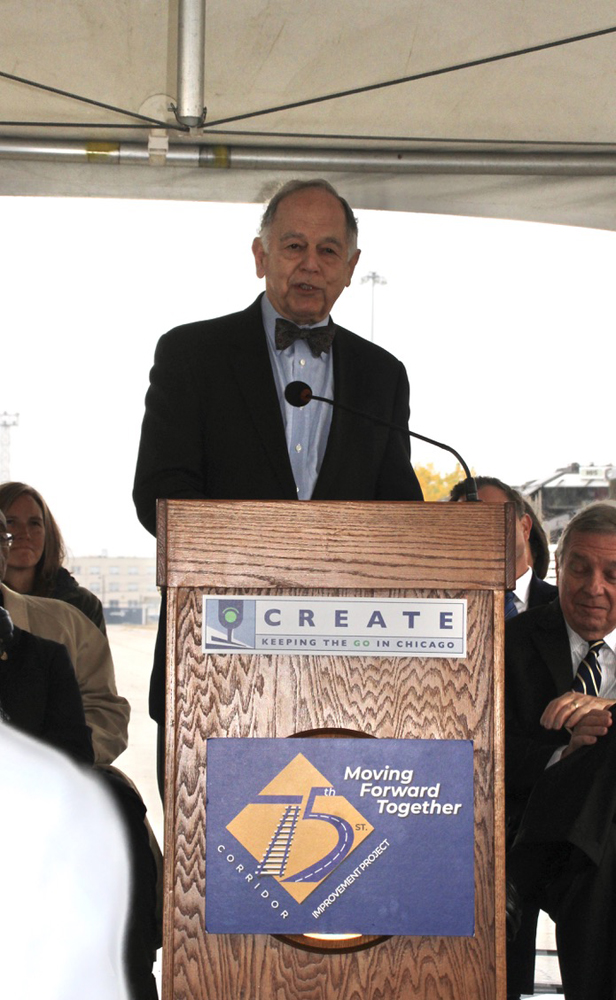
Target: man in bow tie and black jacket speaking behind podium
216	422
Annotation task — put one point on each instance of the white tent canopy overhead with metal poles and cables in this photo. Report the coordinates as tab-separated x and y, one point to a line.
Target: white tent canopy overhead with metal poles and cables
529	136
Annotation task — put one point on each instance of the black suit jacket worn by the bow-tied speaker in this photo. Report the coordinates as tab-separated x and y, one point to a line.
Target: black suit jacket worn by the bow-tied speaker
213	428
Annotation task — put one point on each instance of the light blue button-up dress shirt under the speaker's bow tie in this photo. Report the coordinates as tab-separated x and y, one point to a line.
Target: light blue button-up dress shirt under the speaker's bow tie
306	428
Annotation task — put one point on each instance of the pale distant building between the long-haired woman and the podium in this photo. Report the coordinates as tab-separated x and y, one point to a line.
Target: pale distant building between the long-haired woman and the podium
126	586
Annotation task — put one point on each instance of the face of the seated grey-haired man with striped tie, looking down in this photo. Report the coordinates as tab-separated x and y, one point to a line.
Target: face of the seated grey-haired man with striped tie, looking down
587	584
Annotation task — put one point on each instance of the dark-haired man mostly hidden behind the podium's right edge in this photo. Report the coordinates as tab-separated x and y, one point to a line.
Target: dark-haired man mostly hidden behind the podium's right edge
530	590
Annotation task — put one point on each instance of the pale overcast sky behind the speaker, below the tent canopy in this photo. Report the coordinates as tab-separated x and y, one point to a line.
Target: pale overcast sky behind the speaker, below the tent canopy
506	330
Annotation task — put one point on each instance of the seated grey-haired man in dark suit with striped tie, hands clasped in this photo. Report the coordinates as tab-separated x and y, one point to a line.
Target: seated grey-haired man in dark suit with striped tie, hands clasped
560	756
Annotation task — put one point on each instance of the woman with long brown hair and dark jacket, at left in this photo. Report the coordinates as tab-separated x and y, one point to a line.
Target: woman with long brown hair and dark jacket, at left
38	551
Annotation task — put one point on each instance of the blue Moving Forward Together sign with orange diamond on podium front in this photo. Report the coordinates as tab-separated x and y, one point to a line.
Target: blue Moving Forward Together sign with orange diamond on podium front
340	836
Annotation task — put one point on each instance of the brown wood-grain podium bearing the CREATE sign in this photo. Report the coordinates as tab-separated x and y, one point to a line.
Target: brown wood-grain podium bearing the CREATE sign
382	549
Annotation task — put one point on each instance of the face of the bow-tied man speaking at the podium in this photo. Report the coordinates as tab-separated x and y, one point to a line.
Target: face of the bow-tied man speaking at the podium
306	265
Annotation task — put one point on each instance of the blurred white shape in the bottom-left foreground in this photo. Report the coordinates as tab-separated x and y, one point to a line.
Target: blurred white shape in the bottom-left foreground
64	878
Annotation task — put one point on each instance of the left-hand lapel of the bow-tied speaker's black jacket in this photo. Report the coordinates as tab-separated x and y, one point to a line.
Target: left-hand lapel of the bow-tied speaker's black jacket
252	368
